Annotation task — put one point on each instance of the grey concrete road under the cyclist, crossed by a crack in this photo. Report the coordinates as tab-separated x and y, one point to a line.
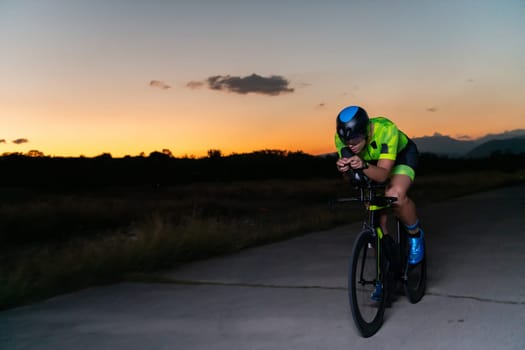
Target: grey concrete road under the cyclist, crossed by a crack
292	295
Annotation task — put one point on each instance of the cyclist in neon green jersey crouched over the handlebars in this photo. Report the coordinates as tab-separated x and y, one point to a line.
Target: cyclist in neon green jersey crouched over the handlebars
382	151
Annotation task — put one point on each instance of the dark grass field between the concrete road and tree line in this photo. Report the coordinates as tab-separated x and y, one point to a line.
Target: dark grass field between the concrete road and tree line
55	242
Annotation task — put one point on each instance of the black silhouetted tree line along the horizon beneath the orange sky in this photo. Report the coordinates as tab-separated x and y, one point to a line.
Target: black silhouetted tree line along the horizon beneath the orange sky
162	168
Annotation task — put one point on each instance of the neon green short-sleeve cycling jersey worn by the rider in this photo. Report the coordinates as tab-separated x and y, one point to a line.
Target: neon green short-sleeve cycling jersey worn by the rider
386	142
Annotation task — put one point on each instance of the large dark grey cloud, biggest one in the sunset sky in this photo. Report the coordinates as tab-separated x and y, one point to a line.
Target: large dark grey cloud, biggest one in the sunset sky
273	85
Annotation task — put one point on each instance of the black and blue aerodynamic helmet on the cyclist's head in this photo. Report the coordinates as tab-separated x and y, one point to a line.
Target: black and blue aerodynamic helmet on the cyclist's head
352	122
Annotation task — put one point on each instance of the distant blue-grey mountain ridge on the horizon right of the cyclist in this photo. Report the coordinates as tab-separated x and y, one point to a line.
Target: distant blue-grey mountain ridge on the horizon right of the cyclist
446	145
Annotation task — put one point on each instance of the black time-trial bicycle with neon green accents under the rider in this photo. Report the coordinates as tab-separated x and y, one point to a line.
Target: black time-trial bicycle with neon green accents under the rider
378	261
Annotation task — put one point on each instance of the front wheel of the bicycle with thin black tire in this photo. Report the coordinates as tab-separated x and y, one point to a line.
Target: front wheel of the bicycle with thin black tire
362	278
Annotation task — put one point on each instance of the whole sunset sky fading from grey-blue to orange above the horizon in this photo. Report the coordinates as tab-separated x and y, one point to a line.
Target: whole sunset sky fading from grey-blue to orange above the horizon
83	77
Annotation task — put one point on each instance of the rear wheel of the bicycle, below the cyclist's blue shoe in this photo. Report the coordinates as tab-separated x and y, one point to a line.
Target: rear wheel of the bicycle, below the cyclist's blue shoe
414	277
